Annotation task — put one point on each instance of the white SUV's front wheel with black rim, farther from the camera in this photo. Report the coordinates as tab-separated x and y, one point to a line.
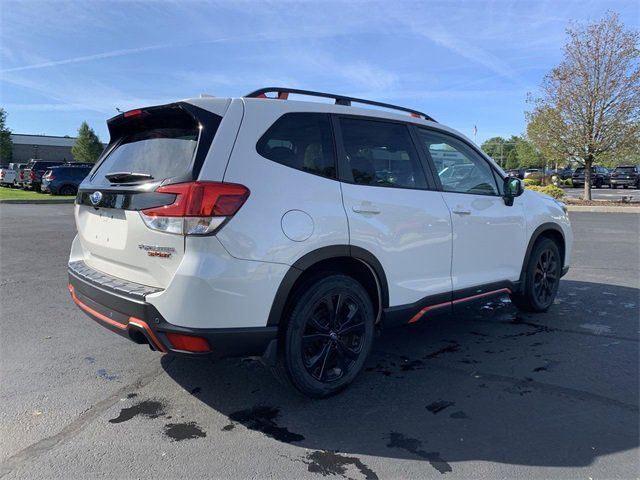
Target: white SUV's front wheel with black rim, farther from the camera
541	279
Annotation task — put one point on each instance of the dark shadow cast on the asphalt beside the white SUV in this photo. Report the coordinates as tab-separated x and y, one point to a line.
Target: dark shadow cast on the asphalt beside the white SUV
488	383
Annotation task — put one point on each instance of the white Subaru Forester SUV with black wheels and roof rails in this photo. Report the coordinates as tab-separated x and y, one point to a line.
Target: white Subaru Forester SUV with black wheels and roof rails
294	230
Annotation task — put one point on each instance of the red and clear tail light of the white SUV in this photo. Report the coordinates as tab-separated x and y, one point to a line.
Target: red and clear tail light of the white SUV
200	208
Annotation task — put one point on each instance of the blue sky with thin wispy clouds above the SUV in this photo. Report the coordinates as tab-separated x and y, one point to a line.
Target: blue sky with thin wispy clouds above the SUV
465	63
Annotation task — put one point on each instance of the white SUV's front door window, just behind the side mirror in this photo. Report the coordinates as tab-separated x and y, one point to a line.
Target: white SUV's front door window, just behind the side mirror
460	168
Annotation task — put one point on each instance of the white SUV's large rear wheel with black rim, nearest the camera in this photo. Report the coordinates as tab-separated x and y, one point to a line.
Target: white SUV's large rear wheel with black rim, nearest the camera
324	352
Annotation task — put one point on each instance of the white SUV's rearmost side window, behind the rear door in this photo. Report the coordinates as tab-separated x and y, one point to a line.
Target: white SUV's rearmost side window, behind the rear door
302	141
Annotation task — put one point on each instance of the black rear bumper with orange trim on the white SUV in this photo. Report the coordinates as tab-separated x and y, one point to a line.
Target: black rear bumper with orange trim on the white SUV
120	307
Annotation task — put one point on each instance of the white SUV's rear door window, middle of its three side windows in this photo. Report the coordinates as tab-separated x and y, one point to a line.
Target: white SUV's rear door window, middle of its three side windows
381	154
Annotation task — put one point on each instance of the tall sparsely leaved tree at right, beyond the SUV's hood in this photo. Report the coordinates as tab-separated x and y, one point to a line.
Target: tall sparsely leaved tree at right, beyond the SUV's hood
589	106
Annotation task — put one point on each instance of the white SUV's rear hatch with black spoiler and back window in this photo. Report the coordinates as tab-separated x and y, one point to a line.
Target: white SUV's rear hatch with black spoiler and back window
149	148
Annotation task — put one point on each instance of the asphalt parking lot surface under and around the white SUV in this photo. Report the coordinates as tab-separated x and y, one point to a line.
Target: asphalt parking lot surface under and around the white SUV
492	393
